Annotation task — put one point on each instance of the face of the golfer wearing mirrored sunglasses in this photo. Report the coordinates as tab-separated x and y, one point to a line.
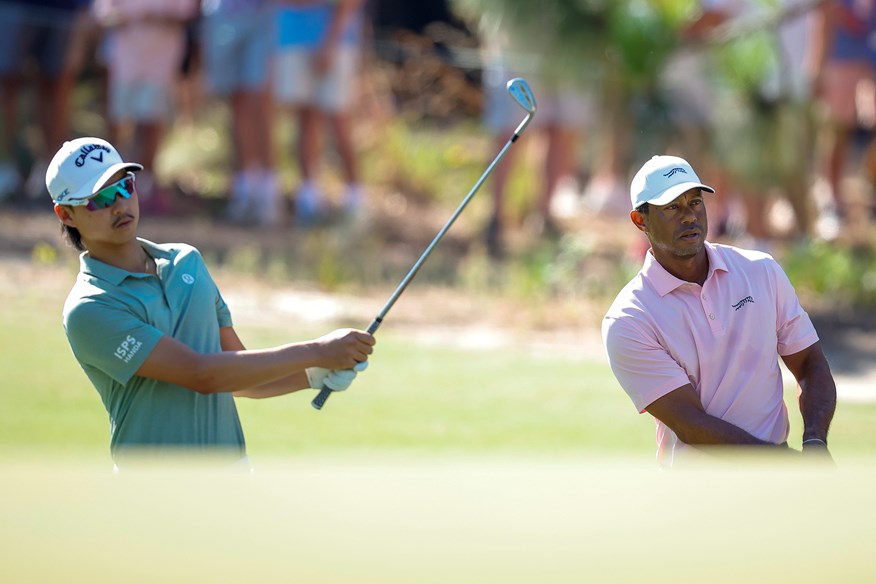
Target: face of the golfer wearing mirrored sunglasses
114	224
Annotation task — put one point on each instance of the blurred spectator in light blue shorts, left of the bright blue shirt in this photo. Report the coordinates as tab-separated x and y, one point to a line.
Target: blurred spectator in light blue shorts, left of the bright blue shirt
237	43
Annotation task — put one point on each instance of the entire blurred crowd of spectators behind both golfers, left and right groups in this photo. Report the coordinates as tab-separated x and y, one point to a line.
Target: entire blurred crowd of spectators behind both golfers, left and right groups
774	101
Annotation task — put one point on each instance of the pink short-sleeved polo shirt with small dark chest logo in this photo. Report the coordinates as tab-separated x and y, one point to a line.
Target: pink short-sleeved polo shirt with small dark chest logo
723	338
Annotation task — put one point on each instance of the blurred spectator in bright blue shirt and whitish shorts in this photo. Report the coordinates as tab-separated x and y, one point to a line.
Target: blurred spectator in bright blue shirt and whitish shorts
316	68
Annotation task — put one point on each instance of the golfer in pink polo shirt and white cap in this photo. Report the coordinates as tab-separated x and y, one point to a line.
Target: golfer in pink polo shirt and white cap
694	338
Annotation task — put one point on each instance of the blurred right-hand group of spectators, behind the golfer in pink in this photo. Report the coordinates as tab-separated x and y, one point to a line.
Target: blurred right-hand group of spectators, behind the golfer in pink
774	101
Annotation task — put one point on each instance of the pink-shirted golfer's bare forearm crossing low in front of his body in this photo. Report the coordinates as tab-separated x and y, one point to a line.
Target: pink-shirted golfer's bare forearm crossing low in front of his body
682	410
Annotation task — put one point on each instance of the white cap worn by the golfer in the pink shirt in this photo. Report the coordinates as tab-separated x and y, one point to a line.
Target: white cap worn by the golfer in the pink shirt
663	179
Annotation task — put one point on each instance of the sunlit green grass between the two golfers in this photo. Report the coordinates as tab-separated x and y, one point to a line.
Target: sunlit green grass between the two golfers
447	400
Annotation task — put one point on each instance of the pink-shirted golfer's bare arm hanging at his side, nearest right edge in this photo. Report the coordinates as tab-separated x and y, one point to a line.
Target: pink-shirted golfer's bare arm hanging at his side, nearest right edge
817	390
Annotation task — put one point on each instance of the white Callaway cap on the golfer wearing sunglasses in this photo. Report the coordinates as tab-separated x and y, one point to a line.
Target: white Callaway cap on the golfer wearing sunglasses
81	168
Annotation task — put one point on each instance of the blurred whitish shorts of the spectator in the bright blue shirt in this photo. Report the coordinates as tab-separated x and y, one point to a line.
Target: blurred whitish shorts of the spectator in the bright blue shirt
296	83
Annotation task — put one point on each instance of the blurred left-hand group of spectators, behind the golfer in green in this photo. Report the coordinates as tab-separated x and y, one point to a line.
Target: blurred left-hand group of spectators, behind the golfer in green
298	55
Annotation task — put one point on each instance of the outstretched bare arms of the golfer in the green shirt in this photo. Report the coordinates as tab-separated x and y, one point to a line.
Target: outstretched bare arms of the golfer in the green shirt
240	370
